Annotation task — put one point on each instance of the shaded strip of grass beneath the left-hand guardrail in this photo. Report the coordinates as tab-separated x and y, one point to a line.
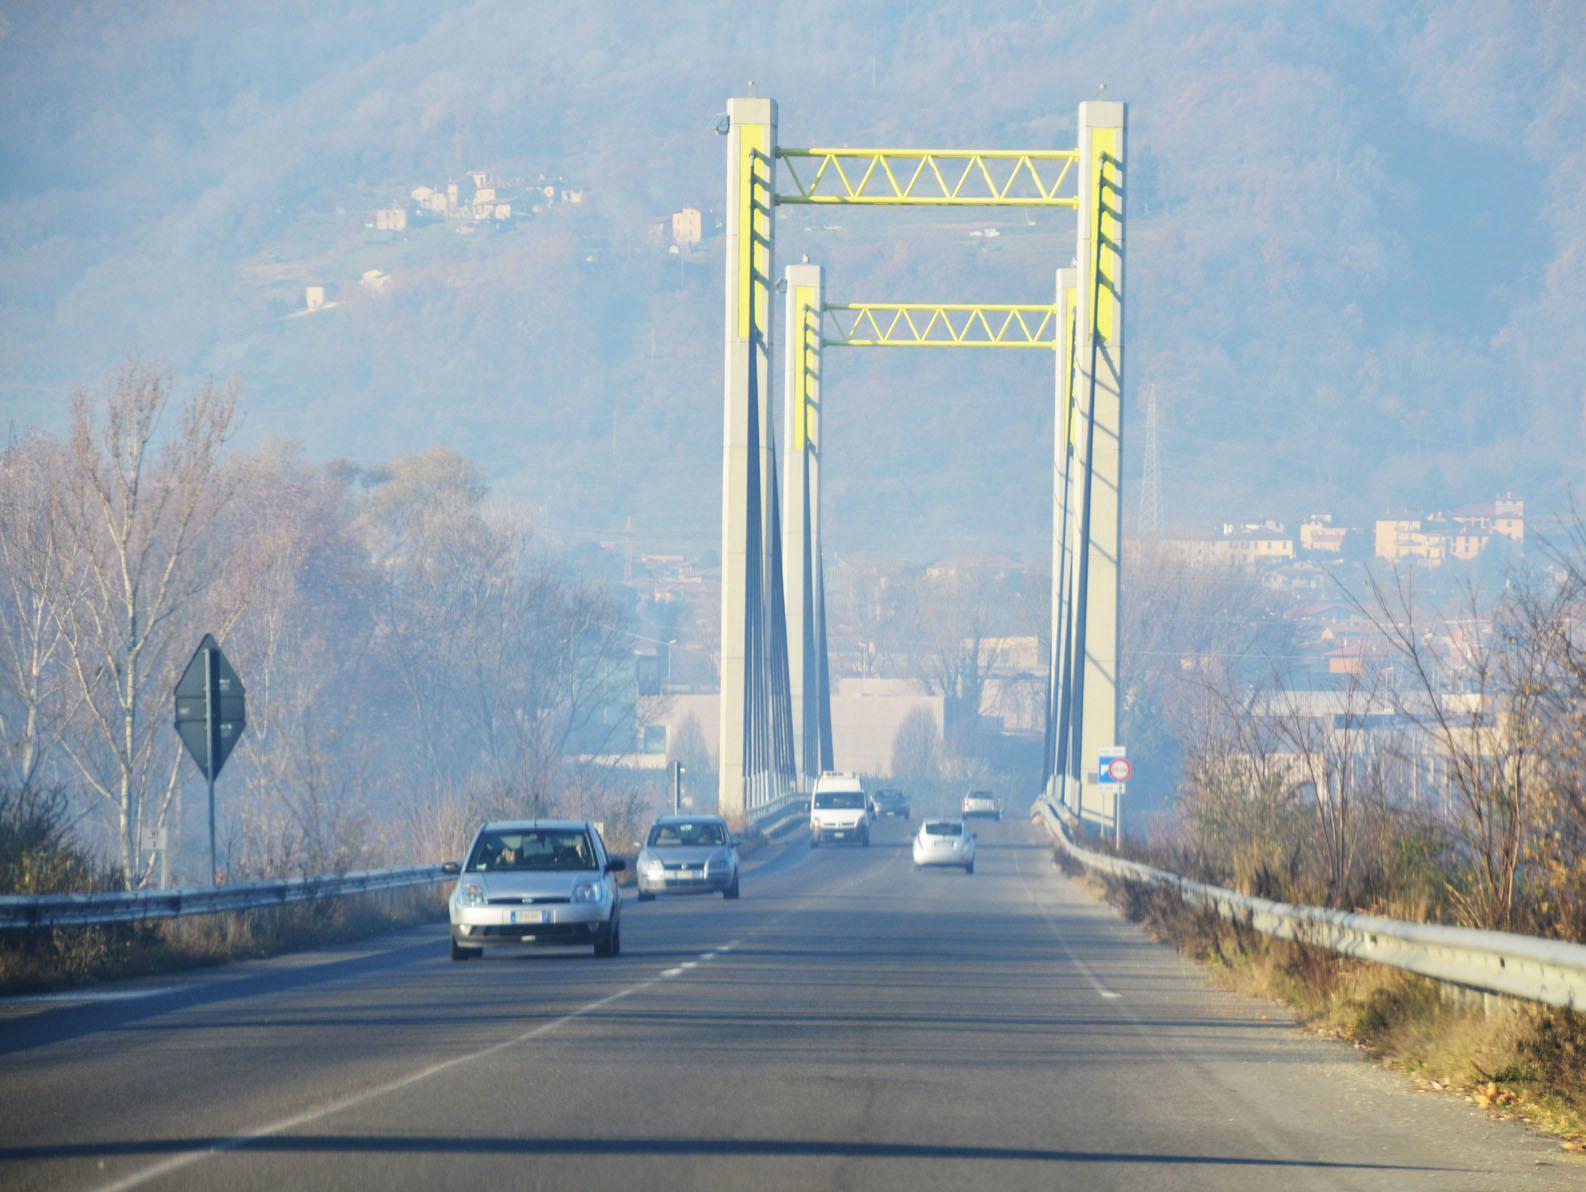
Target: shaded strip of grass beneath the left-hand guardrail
47	961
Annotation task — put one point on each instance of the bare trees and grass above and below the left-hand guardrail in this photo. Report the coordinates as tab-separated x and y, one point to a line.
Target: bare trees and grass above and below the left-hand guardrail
415	663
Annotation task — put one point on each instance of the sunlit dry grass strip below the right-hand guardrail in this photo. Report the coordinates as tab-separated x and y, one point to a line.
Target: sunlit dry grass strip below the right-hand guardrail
1512	1058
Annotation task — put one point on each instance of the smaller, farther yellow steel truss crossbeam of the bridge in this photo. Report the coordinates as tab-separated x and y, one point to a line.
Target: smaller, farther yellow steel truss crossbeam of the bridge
940	326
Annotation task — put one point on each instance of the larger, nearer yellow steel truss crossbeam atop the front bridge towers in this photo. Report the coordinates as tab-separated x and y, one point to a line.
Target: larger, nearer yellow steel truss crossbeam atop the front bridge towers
990	178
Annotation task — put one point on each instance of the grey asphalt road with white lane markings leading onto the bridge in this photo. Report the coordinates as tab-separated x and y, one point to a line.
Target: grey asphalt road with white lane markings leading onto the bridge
848	1023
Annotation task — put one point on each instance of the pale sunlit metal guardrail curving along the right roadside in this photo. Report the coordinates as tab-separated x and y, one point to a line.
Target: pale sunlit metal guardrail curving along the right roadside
1496	963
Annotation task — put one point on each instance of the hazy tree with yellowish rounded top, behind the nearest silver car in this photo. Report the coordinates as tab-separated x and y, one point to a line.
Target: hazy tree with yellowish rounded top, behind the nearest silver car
511	667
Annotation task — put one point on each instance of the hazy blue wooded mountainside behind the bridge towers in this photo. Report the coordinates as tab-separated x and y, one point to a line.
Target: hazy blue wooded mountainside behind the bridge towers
1357	272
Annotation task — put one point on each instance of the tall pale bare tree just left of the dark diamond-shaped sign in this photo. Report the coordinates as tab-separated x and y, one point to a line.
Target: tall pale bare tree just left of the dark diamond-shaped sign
136	513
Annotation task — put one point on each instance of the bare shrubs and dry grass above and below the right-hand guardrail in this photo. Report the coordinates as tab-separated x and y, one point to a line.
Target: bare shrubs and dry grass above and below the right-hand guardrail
1439	781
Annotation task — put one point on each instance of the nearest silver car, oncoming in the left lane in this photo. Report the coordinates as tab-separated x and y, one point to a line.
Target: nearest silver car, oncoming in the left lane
535	882
